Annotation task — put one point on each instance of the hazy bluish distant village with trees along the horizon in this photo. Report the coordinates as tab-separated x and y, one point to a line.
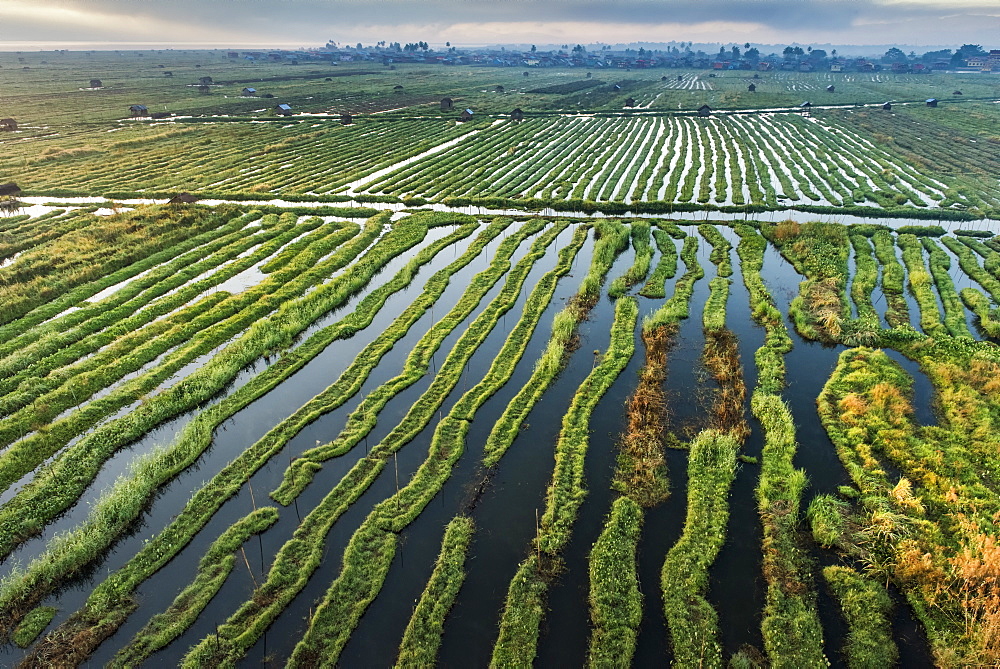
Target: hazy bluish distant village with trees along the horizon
967	59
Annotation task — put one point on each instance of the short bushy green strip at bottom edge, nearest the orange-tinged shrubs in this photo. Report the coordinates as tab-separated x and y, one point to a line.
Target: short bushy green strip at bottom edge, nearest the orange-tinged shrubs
867	610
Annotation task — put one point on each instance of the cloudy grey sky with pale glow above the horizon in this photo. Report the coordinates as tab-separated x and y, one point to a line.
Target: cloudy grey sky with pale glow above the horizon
28	24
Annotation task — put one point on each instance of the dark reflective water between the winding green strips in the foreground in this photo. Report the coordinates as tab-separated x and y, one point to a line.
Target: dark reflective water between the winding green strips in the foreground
505	514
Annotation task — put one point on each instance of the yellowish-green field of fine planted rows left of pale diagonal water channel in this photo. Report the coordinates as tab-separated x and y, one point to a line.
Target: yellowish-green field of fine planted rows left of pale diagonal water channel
242	157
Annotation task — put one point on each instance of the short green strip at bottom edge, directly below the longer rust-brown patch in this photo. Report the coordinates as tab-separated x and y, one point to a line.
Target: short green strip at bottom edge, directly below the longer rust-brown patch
615	599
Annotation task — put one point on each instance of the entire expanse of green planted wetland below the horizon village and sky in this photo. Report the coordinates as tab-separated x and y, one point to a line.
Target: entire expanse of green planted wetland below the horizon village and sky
391	394
